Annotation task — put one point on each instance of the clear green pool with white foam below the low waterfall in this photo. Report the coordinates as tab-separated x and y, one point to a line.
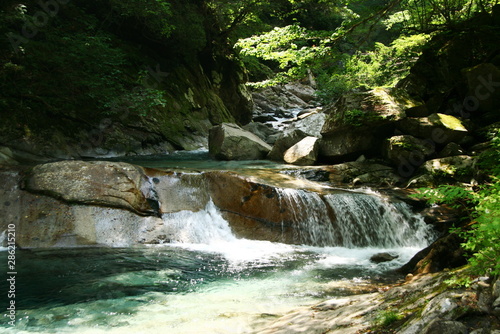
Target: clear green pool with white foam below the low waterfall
225	287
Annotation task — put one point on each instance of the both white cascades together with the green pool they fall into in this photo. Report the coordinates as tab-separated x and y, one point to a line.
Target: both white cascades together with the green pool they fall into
203	279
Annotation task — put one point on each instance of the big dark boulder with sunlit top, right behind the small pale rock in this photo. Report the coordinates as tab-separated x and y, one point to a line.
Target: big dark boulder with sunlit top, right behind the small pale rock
359	122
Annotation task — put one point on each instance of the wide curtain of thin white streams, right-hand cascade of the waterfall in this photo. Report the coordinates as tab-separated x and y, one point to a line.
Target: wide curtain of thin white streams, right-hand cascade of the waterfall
354	219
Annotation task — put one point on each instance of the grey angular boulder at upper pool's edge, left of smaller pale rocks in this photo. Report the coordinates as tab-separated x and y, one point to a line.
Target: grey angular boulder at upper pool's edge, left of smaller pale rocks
230	142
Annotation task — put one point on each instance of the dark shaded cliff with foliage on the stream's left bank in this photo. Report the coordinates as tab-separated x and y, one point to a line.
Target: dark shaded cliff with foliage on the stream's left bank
89	78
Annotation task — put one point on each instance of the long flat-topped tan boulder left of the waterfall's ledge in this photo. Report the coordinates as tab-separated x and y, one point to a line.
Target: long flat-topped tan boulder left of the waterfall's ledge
98	183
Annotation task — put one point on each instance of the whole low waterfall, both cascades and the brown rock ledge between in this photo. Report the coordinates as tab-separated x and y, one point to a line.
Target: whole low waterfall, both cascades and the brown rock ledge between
352	219
